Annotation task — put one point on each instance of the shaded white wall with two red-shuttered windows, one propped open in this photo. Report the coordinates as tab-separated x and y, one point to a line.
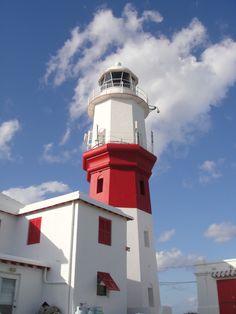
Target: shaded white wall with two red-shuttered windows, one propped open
94	257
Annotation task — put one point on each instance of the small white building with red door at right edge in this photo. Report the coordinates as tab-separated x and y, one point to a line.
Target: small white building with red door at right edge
216	283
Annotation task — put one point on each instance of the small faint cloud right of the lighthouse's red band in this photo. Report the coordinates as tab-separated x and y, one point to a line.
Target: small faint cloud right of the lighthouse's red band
209	170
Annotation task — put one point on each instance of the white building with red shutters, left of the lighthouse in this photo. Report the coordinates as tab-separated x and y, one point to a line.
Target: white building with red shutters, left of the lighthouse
56	251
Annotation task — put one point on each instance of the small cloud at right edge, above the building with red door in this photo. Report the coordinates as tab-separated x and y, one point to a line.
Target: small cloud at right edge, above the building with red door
221	232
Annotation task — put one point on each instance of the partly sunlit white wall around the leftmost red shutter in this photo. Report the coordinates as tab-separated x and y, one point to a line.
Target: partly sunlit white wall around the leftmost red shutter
54	246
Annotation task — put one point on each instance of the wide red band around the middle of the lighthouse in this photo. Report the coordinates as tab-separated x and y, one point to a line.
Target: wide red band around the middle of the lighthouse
119	174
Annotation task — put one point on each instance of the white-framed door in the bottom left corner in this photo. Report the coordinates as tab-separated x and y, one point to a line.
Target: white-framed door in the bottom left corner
8	284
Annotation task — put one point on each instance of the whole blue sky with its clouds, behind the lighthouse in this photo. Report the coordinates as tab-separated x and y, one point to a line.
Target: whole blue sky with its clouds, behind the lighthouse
184	53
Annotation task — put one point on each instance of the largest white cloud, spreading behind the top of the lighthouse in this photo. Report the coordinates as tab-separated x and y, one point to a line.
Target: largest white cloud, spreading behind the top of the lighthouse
184	75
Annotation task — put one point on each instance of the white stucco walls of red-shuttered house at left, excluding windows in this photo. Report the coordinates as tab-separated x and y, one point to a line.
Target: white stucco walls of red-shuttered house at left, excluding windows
69	245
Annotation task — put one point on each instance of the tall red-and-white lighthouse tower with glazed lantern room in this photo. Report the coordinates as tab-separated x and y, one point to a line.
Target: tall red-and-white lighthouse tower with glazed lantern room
119	163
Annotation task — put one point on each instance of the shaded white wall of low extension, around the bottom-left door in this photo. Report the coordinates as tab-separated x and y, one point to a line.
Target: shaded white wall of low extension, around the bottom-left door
29	287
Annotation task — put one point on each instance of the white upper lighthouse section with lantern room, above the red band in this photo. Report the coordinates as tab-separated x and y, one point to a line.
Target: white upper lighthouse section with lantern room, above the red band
118	109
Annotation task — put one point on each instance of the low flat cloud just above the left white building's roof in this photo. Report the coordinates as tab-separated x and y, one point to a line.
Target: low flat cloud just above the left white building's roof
36	193
